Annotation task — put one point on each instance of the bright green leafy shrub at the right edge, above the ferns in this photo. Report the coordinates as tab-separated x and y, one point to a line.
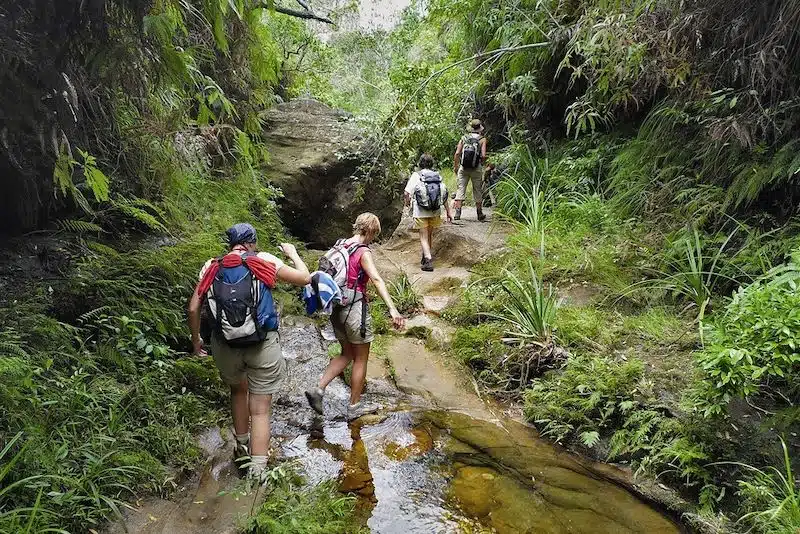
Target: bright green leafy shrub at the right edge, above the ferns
754	342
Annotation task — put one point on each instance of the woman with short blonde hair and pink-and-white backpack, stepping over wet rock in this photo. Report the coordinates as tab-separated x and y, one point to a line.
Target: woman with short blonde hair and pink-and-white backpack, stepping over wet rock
351	264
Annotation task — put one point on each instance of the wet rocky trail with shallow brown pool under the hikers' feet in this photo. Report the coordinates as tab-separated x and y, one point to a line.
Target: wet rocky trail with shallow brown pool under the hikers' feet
438	458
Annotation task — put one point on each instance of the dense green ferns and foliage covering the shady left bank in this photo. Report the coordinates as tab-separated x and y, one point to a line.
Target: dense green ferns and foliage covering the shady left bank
121	119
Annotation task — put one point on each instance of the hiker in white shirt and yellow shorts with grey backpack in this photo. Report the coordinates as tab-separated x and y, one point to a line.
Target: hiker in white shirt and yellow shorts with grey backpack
426	192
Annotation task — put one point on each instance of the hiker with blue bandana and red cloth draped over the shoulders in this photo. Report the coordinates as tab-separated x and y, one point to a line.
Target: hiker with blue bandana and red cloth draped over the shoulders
236	291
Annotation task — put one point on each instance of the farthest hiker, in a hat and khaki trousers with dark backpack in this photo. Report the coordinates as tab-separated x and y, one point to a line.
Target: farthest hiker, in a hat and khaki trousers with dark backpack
468	164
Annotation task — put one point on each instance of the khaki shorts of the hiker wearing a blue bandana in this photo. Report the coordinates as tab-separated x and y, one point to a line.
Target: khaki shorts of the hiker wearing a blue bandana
262	364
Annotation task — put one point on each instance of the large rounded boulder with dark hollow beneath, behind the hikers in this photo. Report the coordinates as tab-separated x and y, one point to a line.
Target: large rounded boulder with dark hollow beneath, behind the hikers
328	172
